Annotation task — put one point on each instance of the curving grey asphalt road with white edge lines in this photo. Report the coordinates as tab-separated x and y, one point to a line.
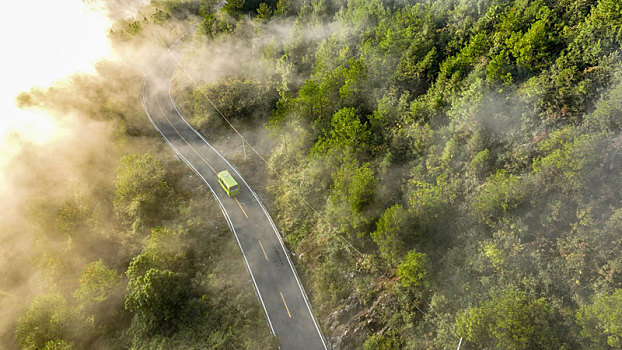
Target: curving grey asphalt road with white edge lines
273	275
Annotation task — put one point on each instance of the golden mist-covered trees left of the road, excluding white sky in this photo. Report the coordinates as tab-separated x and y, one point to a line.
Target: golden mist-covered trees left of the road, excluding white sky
114	243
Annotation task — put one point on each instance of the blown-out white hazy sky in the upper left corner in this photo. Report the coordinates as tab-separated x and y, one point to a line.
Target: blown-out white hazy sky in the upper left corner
43	41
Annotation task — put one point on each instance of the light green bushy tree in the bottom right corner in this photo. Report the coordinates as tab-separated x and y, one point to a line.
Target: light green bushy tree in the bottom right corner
601	321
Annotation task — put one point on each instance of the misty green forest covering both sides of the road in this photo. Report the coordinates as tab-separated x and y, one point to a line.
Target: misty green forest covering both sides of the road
444	171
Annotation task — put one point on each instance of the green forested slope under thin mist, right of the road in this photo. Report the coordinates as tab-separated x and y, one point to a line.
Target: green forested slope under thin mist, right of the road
443	169
